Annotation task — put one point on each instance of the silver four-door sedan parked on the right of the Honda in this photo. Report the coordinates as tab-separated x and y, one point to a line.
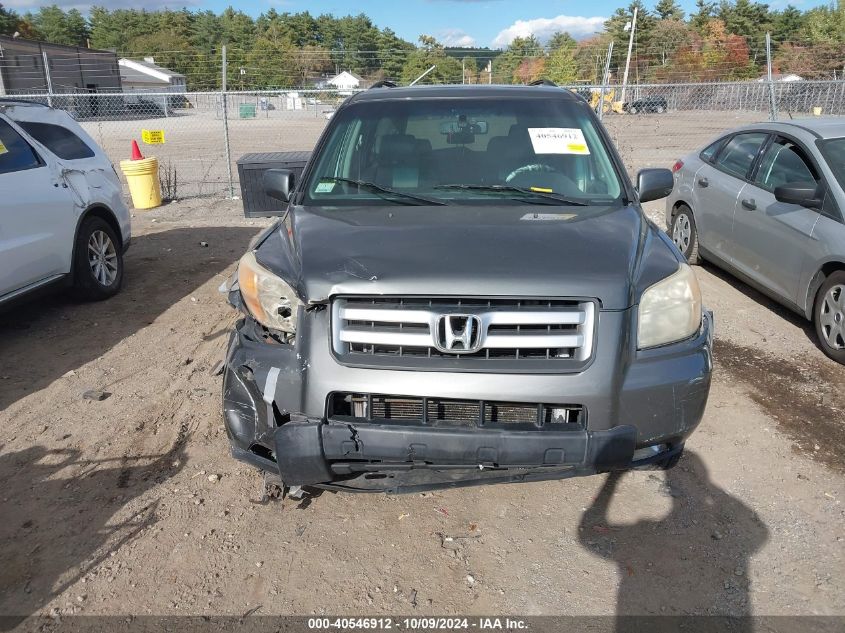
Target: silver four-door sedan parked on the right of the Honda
767	203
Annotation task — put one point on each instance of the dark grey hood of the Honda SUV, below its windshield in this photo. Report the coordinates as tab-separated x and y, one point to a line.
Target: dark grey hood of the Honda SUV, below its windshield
527	251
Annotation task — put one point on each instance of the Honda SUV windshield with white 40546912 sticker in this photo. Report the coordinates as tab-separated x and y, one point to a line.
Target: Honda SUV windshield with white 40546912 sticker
464	151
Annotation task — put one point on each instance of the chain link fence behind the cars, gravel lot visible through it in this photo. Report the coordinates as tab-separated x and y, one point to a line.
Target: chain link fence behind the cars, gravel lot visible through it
206	132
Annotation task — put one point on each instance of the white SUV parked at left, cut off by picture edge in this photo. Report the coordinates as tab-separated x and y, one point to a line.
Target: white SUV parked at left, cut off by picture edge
62	215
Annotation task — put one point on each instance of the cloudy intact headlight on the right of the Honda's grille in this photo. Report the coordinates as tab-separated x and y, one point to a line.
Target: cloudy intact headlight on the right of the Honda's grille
670	310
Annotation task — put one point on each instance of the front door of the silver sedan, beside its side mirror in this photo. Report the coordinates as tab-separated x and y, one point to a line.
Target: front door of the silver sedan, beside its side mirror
773	239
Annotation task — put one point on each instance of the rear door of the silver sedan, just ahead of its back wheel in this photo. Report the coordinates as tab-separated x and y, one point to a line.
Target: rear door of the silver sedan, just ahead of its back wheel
716	188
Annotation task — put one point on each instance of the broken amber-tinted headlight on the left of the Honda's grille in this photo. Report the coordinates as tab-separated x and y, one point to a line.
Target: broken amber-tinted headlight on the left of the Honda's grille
268	298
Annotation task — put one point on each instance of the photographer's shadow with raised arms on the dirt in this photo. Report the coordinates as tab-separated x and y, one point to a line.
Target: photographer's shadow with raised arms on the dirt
693	561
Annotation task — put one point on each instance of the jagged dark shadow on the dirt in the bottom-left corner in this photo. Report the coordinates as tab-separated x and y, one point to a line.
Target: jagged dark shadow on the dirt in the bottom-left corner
60	511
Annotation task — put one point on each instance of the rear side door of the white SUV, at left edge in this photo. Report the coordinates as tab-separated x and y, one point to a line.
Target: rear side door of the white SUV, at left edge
36	214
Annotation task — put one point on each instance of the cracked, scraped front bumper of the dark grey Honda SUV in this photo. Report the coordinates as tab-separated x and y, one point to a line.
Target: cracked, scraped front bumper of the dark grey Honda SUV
279	416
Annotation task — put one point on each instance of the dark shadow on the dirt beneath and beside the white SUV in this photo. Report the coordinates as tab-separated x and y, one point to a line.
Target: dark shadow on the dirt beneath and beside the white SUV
51	335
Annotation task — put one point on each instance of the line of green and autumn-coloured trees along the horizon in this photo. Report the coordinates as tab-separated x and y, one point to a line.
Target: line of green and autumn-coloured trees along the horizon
719	41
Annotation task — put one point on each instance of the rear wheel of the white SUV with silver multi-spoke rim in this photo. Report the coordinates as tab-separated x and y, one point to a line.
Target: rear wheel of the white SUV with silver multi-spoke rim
98	261
